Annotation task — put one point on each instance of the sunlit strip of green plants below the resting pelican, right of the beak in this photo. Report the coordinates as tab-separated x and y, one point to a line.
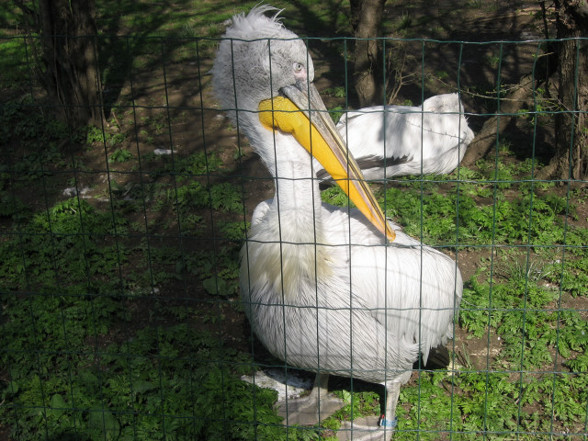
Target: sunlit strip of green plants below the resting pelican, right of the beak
519	218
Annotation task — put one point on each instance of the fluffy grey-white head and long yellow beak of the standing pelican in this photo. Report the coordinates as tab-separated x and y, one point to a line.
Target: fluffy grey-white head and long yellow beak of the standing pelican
263	77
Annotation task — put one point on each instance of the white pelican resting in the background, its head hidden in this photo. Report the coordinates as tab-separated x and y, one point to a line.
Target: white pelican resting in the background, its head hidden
392	141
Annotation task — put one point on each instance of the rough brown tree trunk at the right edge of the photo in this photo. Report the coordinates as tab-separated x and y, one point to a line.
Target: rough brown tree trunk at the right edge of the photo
571	155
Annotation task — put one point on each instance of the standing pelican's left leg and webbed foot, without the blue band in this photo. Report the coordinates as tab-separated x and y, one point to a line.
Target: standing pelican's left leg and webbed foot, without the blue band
313	408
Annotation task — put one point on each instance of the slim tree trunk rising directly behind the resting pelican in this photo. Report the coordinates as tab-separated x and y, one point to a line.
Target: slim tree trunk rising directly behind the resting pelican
366	17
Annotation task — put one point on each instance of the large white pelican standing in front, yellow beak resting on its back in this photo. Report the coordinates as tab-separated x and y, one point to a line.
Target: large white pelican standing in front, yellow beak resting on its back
322	287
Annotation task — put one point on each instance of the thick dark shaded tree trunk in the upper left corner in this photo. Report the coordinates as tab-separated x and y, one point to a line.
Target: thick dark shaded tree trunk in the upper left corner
69	53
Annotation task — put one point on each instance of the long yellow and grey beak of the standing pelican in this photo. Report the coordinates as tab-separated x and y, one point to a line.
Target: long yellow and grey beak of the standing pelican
305	116
